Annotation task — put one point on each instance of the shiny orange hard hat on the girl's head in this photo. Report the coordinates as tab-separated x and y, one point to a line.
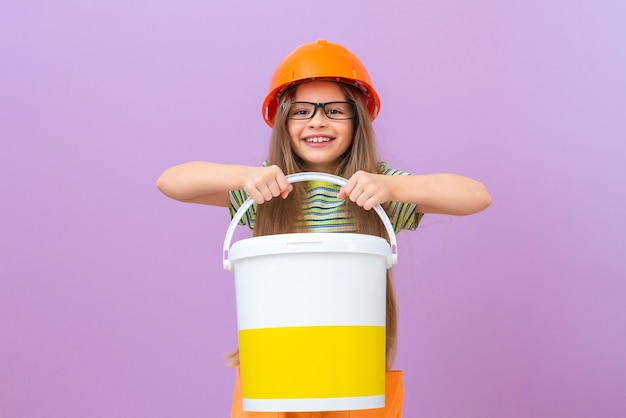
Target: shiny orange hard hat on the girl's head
320	60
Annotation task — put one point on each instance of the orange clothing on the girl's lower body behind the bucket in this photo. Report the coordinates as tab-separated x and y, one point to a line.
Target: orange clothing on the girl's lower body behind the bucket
394	397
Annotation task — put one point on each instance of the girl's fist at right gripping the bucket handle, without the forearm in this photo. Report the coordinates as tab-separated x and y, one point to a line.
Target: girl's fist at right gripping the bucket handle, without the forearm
365	189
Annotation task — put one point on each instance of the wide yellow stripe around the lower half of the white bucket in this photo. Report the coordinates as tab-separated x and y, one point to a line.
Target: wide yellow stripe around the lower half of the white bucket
312	362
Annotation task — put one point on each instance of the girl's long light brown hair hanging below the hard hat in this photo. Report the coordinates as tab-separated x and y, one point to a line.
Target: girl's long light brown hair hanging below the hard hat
280	216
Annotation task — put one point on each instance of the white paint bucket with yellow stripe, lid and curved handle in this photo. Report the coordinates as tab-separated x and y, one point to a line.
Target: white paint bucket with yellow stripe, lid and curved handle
311	314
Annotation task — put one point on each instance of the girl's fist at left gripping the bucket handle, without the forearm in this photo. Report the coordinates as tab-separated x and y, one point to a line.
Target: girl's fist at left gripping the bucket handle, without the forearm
265	183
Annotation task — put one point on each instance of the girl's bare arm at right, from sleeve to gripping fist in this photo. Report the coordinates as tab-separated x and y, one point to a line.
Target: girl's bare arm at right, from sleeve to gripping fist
450	194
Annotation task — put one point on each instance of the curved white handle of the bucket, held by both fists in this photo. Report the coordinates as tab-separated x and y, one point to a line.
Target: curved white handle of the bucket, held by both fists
293	178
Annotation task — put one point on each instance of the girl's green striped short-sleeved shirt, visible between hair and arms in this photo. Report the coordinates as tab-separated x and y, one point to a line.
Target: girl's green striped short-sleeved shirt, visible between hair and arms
323	212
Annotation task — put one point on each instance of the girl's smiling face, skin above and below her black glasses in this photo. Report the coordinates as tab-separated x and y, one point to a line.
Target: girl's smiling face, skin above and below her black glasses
320	142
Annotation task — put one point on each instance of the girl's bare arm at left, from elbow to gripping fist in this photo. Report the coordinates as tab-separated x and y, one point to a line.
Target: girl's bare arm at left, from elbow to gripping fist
209	183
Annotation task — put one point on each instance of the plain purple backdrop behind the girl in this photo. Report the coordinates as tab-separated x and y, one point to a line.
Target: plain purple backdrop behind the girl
113	301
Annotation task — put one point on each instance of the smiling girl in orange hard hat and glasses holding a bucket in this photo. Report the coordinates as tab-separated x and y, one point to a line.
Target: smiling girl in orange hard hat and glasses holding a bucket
321	105
